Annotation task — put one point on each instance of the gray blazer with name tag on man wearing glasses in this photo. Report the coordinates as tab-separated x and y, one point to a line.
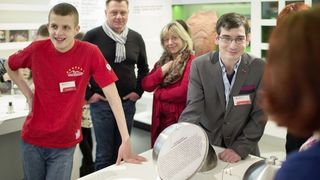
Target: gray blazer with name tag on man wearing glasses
241	126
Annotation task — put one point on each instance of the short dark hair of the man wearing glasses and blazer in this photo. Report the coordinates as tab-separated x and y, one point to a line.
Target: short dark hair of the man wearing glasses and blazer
232	20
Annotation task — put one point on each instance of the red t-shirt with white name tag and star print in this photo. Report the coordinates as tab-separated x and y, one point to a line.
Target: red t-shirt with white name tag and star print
60	81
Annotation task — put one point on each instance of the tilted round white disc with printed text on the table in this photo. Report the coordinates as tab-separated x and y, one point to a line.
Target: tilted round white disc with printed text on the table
182	150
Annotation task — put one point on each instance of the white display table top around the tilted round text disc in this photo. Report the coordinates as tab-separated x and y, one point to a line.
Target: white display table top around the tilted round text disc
148	170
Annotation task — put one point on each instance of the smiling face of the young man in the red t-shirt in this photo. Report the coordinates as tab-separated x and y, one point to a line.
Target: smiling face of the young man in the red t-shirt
62	30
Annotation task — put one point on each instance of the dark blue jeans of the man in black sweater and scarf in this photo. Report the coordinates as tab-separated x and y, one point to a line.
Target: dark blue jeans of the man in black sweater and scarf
106	131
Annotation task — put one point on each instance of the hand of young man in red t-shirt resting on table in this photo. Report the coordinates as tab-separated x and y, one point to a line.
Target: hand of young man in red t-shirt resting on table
125	153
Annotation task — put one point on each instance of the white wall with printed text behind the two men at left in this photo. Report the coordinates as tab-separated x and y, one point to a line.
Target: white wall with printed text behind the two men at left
145	17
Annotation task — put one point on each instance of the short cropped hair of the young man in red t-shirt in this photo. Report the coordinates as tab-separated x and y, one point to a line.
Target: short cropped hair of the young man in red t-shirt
65	9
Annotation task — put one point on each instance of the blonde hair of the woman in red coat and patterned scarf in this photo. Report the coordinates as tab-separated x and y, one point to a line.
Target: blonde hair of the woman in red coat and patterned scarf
176	29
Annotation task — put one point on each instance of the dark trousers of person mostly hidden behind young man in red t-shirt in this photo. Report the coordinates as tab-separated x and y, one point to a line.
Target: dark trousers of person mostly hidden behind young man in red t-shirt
86	146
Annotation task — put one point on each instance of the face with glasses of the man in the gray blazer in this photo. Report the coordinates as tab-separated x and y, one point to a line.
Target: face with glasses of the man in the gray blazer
231	51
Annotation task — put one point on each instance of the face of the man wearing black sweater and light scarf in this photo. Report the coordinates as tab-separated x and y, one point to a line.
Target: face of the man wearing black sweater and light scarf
117	15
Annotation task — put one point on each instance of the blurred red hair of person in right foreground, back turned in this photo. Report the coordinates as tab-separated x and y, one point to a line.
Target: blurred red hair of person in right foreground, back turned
291	83
